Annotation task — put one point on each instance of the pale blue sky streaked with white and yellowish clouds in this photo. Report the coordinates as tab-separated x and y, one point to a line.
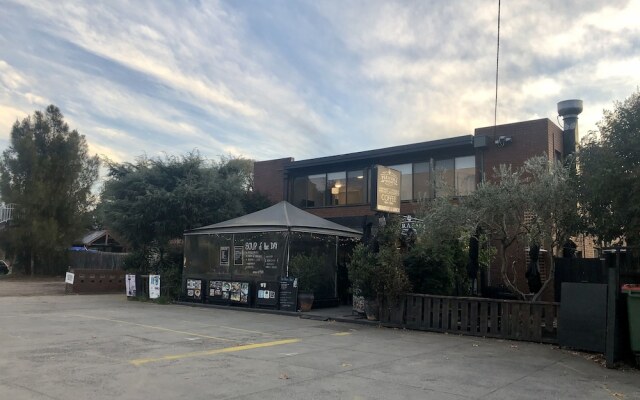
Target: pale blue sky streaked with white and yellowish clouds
305	79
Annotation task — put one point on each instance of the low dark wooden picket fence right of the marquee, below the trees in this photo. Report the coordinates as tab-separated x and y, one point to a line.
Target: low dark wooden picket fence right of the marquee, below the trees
505	319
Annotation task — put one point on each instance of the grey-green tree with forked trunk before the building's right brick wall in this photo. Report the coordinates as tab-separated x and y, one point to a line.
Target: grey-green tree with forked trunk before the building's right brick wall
535	205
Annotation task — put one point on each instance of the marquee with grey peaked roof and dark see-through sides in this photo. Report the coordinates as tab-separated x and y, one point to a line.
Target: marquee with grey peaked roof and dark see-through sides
254	250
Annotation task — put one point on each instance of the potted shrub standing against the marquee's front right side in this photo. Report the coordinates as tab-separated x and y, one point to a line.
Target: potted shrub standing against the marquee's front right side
307	269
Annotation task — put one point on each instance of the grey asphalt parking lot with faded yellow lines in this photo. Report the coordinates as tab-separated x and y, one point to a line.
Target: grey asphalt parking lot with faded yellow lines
105	347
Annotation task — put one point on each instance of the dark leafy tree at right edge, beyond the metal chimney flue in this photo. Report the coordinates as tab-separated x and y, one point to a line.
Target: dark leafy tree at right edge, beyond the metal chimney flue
609	174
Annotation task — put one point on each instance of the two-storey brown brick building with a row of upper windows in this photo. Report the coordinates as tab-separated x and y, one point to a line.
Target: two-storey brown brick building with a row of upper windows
338	187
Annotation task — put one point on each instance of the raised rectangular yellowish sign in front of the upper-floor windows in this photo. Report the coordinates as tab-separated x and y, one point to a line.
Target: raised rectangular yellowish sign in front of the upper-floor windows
385	189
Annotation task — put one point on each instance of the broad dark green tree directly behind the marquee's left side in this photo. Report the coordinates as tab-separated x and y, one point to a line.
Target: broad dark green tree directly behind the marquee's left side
151	202
